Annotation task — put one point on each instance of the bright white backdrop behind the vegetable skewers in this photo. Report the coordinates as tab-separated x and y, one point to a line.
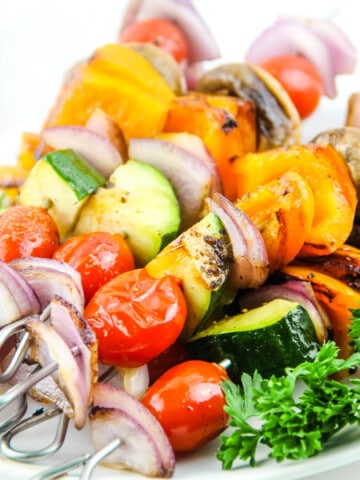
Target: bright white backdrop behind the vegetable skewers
41	39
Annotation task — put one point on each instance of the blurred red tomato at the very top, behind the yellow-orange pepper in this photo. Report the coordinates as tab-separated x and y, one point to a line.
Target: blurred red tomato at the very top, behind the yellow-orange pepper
161	32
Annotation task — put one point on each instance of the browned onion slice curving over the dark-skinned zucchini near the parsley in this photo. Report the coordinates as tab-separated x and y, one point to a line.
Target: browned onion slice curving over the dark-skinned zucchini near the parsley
295	291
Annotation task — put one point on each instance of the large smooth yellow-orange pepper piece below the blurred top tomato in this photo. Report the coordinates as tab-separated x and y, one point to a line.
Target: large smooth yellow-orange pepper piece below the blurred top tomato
121	83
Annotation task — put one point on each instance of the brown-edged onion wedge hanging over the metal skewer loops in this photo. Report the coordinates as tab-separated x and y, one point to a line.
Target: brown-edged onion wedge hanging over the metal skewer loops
63	387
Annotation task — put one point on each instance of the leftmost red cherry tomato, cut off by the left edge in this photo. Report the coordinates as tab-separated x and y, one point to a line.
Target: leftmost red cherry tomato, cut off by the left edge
27	231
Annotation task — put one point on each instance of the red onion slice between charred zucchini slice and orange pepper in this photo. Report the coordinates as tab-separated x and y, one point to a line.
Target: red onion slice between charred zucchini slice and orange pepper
251	264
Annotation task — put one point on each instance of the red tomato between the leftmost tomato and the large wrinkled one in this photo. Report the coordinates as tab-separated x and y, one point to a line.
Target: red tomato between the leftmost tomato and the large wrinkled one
98	257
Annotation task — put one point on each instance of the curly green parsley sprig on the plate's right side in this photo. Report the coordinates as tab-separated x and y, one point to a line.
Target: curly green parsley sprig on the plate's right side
294	426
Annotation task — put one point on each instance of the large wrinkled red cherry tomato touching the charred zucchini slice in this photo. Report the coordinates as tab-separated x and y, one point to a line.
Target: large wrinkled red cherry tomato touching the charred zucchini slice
136	317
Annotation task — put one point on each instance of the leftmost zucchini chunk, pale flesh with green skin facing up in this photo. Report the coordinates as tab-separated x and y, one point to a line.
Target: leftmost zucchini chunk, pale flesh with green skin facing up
61	181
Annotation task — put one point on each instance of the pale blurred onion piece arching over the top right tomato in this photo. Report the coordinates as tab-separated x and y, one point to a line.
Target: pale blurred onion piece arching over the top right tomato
320	41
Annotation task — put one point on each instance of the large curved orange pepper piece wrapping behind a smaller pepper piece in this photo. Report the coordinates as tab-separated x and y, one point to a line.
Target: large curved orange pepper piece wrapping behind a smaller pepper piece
329	178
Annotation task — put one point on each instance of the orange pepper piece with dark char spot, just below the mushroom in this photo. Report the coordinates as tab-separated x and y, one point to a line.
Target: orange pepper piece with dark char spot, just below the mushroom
226	125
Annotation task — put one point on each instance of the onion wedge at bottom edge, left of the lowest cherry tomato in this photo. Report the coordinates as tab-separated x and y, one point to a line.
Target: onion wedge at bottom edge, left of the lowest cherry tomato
144	446
